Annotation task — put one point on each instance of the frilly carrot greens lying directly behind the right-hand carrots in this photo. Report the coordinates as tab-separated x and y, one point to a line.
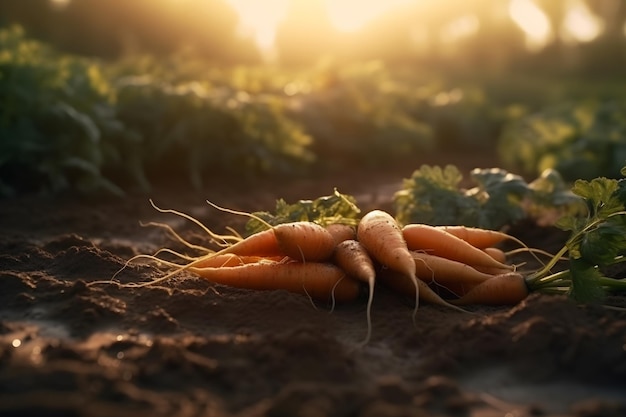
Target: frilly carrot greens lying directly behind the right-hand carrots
436	196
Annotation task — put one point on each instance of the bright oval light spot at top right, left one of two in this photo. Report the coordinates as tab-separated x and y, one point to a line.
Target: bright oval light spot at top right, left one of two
533	21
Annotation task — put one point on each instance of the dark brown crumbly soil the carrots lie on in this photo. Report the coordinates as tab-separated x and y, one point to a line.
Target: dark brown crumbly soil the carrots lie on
188	347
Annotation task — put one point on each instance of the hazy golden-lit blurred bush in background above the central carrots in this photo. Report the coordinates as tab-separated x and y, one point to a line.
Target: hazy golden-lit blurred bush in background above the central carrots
360	115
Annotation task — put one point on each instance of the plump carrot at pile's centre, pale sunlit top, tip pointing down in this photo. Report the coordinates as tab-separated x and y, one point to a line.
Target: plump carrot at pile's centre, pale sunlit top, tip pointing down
381	236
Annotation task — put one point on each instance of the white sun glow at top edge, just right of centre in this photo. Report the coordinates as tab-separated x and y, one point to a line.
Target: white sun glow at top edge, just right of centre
351	15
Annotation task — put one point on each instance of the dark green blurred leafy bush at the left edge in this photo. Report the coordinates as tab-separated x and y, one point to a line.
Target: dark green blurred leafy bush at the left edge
56	112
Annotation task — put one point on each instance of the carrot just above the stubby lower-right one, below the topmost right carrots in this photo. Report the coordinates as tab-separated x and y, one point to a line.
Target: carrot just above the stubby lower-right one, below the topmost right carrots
443	271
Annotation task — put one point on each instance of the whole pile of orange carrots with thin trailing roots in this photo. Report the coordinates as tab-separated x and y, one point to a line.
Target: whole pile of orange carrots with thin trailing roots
335	263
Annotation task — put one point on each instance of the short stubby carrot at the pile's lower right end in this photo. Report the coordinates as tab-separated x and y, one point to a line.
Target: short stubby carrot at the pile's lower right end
505	289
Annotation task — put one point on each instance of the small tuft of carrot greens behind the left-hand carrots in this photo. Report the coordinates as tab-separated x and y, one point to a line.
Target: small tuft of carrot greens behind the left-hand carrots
335	208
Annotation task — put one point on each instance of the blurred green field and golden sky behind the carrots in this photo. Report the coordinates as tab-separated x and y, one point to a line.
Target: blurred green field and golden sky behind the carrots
117	95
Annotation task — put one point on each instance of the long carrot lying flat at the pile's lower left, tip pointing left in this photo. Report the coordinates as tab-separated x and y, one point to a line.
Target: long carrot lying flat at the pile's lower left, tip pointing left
321	281
